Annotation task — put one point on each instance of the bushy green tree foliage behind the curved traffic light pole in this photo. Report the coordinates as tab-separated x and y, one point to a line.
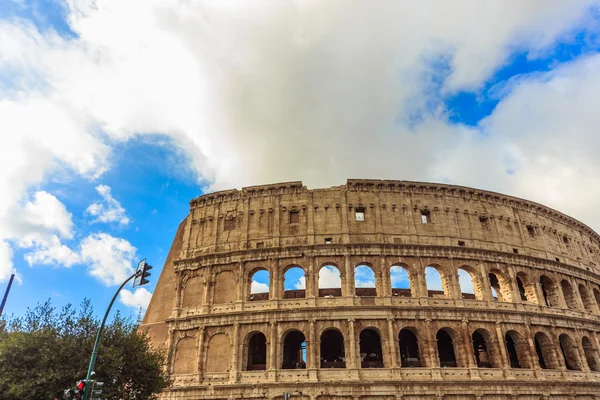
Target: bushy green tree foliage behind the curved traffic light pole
47	350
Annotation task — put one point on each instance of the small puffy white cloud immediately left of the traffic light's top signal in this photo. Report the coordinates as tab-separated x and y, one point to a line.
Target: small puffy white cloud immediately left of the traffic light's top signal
109	258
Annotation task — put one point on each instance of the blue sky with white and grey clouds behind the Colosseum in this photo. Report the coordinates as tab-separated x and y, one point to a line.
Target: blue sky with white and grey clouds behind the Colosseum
114	114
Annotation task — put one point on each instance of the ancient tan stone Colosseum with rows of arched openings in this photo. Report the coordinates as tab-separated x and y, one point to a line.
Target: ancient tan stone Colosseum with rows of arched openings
515	314
